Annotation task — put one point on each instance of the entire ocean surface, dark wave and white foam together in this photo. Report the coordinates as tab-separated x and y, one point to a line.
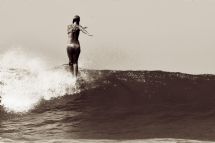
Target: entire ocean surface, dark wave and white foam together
50	105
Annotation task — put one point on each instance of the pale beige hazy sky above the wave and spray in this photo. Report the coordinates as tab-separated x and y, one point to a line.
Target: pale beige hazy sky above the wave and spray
171	35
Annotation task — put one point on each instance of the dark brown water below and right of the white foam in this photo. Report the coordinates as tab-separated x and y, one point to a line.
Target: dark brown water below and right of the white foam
138	106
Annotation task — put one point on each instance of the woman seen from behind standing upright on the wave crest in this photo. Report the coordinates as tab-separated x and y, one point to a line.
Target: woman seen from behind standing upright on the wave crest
73	45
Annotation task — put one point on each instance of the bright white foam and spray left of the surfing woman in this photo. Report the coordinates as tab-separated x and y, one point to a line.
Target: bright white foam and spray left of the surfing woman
25	81
